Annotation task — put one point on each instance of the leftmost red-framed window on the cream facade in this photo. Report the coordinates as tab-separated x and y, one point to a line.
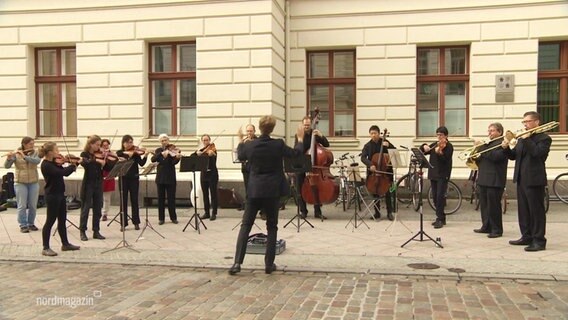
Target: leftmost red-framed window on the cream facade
56	98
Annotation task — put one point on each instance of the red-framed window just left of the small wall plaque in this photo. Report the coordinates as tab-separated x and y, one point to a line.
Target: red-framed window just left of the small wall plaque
442	90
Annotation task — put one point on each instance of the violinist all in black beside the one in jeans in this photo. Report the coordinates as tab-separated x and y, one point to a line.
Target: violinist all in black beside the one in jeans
53	174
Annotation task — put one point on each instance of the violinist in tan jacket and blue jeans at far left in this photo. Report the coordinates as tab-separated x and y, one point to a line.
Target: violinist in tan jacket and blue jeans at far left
26	185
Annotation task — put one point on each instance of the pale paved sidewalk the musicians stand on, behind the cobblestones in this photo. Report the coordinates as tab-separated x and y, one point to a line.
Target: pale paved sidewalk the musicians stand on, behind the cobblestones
333	245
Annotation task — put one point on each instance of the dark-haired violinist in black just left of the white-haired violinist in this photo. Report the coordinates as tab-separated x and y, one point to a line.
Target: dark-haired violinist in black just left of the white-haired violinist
130	182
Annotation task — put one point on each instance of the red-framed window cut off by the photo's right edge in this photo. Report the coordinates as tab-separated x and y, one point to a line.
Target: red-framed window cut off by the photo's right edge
552	91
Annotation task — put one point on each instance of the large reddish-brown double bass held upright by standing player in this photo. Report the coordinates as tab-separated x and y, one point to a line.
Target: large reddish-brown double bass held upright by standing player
319	186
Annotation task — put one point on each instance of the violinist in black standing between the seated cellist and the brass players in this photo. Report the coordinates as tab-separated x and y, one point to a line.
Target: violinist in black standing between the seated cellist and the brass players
441	153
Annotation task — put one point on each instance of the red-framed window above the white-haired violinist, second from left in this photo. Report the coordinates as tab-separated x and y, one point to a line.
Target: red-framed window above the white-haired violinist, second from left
172	88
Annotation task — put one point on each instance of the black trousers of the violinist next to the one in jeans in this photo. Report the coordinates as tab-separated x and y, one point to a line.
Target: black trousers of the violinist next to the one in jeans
56	210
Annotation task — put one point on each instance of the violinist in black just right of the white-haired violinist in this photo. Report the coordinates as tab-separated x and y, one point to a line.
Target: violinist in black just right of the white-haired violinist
209	178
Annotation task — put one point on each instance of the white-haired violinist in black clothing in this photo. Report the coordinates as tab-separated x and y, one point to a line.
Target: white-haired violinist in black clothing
167	157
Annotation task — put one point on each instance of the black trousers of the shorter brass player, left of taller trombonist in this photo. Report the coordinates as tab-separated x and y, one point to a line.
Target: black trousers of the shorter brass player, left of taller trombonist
491	209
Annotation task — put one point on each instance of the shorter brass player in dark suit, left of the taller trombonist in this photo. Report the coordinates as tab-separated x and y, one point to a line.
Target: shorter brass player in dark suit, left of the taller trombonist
491	180
